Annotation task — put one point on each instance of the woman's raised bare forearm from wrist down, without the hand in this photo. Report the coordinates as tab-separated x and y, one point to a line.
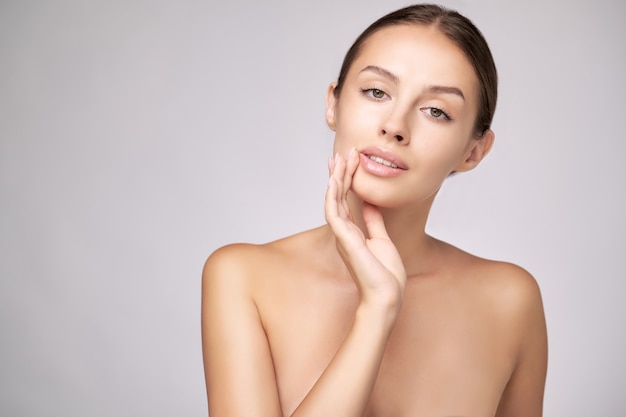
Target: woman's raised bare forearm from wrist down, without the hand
345	386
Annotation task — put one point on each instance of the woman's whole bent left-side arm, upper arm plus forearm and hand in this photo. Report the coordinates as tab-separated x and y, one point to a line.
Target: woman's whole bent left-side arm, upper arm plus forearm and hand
238	363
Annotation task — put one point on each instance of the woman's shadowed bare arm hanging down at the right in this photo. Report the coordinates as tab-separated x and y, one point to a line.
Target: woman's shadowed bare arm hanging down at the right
523	395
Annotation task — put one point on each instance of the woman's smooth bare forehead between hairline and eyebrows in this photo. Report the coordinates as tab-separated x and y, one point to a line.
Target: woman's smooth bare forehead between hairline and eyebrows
418	54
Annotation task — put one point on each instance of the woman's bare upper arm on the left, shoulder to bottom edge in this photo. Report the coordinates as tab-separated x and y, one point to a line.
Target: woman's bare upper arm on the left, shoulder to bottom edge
238	366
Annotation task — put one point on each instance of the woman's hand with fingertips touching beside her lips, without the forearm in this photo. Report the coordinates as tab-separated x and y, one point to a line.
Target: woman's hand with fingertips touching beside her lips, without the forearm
373	261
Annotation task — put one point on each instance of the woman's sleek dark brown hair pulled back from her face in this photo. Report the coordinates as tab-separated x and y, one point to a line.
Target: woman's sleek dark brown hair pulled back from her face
459	30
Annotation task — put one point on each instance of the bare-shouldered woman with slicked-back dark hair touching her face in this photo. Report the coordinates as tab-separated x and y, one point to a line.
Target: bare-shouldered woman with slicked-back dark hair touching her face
368	315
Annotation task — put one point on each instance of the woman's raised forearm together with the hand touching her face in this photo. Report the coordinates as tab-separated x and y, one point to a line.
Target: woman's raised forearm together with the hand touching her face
344	388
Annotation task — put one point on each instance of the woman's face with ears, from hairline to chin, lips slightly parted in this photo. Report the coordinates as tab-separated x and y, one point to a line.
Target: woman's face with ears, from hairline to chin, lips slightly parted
408	106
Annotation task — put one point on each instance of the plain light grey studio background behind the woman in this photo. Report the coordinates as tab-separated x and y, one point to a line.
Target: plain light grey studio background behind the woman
138	136
